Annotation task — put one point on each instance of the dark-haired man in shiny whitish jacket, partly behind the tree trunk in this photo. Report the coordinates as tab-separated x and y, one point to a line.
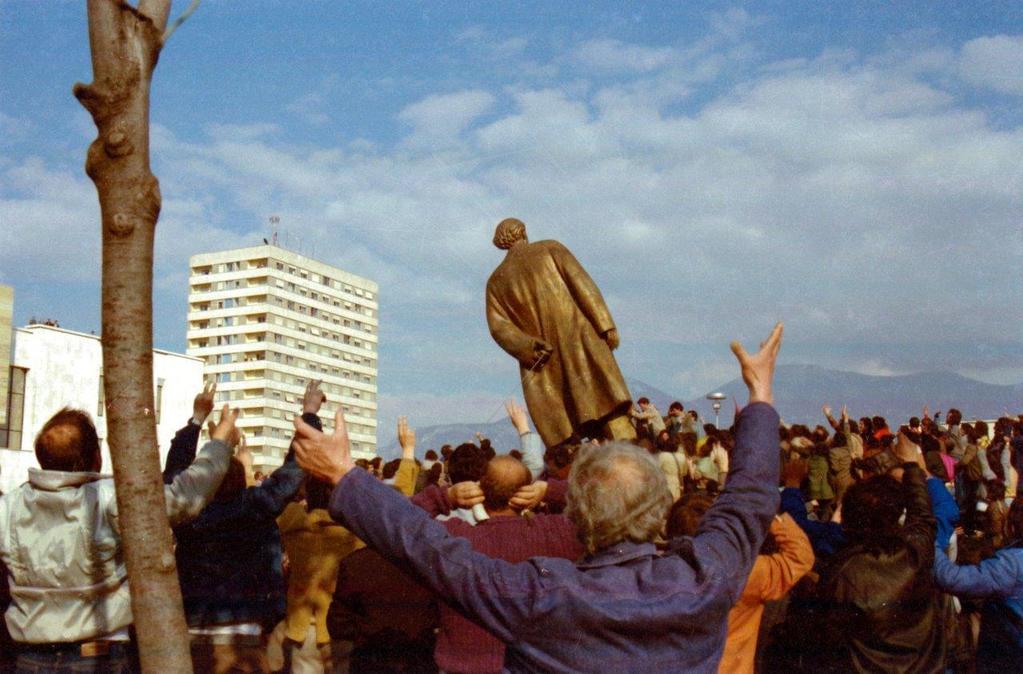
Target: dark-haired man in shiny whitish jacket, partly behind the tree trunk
61	542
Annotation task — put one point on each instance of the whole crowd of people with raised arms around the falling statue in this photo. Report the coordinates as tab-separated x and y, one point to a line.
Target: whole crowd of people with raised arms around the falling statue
849	547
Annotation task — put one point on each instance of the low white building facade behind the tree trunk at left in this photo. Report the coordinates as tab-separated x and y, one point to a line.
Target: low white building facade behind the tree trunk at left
54	368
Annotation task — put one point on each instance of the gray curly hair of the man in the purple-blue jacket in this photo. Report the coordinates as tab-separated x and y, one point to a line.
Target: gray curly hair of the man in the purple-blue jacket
616	492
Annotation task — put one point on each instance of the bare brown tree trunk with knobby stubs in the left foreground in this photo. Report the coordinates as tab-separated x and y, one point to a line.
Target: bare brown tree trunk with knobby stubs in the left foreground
125	44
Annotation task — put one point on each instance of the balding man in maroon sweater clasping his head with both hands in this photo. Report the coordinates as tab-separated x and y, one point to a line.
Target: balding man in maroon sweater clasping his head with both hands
462	645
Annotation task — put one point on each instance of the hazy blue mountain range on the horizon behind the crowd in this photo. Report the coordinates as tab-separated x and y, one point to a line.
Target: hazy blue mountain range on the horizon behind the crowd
799	393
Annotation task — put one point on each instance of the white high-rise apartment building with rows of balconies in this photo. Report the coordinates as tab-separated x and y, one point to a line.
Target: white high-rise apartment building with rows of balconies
266	322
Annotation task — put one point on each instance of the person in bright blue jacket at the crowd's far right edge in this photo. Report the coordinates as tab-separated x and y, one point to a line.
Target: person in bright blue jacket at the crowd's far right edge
1000	581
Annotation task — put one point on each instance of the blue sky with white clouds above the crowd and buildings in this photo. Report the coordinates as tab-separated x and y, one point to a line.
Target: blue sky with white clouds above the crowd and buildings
851	168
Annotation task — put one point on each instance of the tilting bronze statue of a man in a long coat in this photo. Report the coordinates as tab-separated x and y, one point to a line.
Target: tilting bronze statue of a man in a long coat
547	312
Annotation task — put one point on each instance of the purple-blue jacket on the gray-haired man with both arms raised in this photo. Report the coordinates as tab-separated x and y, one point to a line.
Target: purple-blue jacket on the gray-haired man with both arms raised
627	608
